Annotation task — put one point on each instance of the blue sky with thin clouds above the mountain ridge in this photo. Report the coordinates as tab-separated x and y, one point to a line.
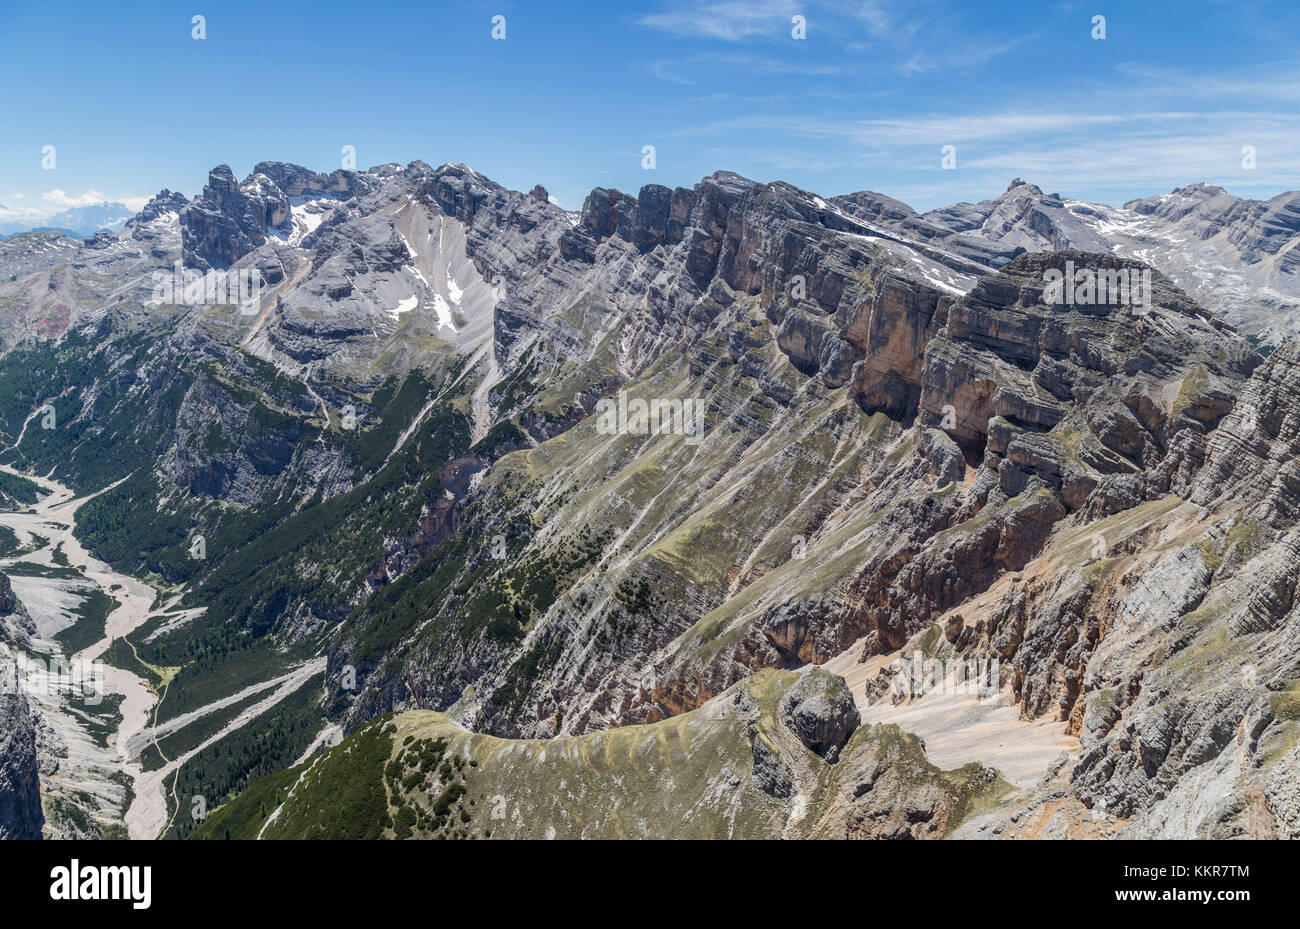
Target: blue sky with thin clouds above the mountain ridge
868	101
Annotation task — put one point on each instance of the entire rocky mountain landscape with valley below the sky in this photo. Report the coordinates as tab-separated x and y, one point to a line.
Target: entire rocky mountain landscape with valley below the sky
362	559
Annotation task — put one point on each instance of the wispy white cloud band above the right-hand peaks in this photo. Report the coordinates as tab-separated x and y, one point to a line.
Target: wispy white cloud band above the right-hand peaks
1067	151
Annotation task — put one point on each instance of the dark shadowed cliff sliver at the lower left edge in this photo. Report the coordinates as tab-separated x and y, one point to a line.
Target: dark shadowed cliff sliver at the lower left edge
21	817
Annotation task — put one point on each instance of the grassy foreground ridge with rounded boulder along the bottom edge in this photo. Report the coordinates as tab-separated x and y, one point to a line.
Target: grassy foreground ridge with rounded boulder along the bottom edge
748	765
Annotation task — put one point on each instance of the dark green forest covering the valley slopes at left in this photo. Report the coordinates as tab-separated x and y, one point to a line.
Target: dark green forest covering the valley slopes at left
292	562
